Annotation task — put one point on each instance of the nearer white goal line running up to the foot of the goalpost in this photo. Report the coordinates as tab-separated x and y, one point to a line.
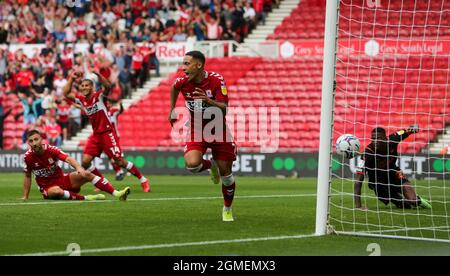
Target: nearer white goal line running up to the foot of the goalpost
167	245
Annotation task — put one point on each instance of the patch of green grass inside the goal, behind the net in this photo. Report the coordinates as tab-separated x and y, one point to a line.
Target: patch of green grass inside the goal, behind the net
416	222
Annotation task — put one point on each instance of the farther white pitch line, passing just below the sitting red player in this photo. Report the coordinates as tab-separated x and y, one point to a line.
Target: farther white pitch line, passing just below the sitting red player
150	199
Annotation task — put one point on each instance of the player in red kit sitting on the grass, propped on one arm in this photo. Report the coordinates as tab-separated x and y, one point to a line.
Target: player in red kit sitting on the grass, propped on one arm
42	160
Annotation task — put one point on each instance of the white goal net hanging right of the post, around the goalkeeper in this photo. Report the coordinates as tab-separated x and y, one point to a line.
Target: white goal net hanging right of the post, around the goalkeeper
392	71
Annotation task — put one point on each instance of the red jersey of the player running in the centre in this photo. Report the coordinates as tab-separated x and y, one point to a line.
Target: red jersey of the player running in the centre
214	86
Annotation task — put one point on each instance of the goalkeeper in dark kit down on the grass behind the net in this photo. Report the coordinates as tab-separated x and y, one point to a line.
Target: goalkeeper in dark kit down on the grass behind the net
385	177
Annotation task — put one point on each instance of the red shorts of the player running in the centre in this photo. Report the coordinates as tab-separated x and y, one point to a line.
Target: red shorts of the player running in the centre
224	151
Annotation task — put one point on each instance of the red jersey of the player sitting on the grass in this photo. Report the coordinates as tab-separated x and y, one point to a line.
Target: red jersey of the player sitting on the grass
45	167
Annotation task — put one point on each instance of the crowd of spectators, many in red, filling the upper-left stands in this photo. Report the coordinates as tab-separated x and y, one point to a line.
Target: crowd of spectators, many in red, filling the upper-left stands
127	32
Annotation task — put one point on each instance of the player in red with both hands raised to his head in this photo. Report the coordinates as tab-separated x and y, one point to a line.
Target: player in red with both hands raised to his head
104	137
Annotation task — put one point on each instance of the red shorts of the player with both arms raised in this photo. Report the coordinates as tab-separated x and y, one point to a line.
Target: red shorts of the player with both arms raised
106	142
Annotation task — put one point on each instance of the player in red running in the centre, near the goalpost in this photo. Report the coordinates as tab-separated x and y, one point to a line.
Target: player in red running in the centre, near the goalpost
208	90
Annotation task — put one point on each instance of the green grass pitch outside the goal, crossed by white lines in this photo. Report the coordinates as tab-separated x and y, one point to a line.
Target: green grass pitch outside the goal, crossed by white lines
182	216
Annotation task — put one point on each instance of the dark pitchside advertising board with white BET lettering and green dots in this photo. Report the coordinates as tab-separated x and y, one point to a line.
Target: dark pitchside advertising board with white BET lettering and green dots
252	164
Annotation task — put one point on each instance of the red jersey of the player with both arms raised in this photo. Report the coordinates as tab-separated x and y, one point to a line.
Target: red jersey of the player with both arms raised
96	110
